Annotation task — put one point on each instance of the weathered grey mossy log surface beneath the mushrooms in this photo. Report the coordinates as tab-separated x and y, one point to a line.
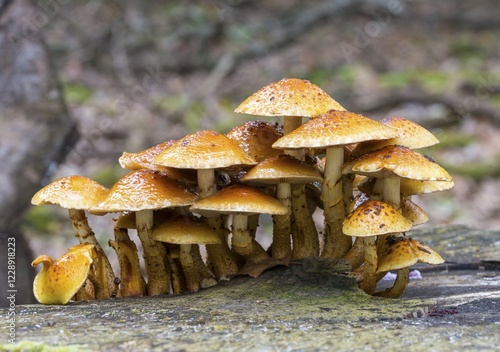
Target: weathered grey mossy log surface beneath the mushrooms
306	306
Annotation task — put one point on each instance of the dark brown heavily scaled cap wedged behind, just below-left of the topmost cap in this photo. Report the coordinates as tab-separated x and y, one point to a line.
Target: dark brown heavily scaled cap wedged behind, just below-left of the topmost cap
256	138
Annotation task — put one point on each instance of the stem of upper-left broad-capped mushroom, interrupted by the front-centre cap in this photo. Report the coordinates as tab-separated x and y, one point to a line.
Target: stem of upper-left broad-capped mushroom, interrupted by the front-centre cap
220	256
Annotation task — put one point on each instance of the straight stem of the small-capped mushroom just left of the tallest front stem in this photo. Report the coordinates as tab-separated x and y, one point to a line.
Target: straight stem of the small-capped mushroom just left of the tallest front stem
281	247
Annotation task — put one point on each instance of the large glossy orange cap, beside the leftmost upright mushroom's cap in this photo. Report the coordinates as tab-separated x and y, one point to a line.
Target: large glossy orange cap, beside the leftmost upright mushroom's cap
145	189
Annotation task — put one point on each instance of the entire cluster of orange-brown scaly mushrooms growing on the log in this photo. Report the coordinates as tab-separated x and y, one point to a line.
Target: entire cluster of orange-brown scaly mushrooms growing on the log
209	189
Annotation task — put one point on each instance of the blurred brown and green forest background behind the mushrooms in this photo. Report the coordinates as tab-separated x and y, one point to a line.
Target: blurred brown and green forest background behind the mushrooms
116	76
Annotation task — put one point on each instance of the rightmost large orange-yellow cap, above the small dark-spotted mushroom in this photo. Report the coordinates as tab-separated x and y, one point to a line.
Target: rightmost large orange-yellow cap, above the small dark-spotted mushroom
394	160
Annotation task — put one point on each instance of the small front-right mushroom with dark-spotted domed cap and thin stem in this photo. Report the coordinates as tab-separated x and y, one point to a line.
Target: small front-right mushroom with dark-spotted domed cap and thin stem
368	220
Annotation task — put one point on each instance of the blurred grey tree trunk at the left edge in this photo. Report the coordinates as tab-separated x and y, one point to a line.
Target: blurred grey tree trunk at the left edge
35	130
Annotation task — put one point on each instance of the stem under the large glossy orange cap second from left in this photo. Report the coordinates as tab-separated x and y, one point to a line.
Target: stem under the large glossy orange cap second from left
156	272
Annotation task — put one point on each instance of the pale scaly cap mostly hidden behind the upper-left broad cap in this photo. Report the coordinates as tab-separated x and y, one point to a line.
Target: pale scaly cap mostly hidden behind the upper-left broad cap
144	160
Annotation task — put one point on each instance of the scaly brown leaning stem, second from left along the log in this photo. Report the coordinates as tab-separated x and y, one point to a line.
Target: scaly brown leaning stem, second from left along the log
131	281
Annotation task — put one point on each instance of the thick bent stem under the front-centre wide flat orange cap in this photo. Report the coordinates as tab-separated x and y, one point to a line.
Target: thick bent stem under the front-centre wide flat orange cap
243	243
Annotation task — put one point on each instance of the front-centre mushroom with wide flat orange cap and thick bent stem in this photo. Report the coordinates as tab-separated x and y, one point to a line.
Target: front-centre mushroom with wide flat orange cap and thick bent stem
240	201
